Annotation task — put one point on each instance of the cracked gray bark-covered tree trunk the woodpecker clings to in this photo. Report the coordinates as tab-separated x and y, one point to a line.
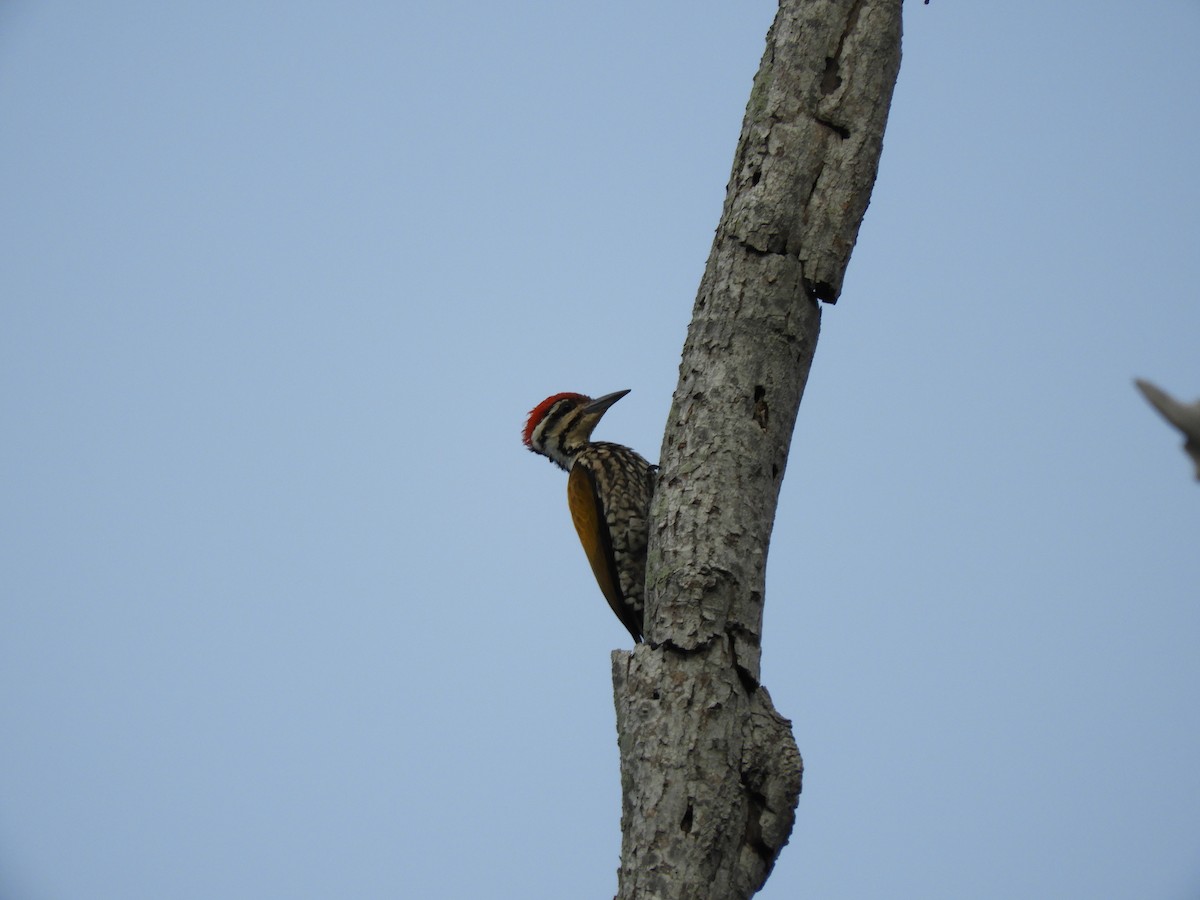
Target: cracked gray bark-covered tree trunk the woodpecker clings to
711	772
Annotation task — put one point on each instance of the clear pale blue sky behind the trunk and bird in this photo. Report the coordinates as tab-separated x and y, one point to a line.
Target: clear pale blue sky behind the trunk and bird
290	613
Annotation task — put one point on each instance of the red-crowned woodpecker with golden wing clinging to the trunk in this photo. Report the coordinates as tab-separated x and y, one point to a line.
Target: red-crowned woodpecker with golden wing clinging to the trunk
609	491
